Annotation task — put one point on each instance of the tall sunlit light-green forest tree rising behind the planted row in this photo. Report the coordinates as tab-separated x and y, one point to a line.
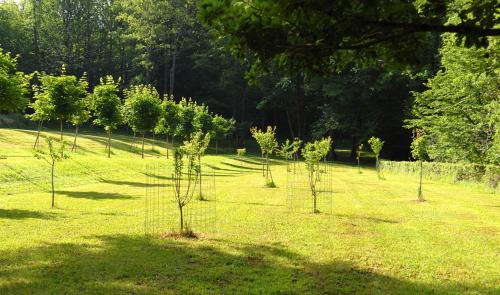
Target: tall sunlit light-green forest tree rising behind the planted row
161	30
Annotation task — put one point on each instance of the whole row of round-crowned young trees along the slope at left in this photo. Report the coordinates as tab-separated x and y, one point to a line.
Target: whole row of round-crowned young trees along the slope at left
65	98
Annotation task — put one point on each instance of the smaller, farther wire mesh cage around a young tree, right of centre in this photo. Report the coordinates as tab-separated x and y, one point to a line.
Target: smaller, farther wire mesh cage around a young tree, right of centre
309	192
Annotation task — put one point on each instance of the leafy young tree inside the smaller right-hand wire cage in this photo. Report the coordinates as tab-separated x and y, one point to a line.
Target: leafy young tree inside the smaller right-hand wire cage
313	152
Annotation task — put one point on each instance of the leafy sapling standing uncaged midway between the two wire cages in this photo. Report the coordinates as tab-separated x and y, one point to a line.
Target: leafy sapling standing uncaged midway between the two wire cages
268	144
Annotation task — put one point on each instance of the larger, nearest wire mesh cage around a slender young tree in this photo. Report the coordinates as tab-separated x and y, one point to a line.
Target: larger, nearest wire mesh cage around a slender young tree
162	213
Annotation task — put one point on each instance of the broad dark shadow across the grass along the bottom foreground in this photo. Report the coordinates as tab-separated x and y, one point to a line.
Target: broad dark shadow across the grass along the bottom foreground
134	264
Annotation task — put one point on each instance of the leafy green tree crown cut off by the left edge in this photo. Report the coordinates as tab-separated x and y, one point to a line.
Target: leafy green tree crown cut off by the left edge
13	84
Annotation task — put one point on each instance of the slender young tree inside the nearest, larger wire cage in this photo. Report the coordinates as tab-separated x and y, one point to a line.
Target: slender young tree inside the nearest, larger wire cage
184	181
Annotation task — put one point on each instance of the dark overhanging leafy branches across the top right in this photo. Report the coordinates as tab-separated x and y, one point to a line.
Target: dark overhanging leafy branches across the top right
322	34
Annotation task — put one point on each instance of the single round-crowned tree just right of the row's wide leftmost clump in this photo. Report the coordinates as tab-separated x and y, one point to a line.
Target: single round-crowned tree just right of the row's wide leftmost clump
106	106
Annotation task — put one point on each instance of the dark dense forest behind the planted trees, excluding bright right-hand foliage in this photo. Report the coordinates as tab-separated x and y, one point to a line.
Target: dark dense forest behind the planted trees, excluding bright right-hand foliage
162	43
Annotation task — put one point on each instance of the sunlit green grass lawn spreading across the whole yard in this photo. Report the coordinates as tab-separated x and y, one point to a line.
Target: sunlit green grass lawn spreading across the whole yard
377	240
